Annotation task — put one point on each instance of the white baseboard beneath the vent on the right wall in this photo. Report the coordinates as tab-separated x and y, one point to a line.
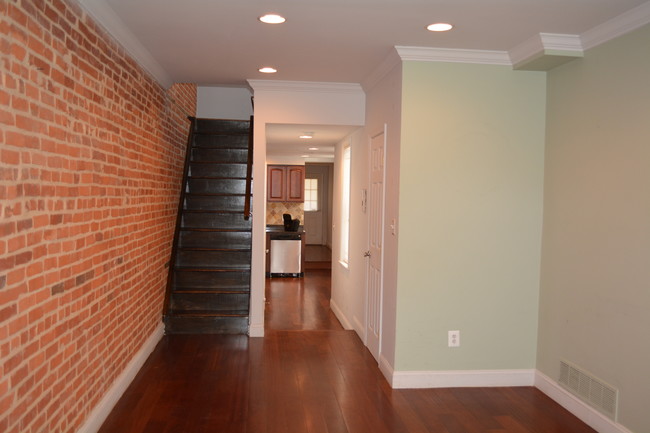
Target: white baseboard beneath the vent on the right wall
577	407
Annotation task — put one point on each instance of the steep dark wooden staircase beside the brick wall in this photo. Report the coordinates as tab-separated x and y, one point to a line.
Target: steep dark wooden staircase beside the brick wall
208	290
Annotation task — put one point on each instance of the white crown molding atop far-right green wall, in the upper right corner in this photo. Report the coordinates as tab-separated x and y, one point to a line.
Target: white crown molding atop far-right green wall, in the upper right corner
622	24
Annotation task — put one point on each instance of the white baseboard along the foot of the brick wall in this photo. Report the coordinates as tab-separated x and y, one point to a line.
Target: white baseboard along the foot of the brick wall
105	406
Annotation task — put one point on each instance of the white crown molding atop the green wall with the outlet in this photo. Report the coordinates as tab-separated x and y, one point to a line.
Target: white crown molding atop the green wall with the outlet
423	54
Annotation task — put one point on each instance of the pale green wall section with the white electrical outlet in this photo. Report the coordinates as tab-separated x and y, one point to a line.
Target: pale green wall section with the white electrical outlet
470	197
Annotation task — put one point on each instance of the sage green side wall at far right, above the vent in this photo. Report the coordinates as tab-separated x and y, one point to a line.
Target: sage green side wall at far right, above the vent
595	285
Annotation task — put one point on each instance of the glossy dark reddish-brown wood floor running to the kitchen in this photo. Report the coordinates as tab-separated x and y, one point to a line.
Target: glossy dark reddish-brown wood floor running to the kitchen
309	375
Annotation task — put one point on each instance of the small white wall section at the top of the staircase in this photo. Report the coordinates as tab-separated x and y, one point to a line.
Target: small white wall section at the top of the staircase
223	103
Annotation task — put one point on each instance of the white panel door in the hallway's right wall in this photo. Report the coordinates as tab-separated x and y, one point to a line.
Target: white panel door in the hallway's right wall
375	240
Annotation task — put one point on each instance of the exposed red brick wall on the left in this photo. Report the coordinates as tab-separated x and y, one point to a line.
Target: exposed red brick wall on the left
91	151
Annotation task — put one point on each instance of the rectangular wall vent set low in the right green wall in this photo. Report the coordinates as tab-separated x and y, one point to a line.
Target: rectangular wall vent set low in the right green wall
591	390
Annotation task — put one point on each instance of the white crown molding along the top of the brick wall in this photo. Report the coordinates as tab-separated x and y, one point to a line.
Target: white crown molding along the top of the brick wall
102	13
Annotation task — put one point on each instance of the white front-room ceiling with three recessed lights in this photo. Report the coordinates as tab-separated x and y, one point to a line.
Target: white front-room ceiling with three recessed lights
221	42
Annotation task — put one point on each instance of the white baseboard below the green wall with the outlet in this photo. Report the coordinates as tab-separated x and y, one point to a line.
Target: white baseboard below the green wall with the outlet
461	378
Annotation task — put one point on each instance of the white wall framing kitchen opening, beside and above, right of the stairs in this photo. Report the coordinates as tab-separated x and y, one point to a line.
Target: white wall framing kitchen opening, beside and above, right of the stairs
290	103
